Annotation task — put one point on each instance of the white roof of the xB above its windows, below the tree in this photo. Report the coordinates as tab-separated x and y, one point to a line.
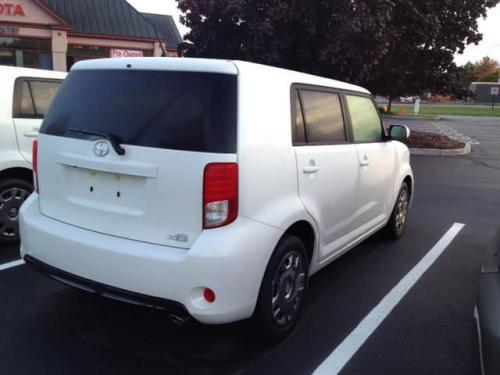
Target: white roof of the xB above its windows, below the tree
210	66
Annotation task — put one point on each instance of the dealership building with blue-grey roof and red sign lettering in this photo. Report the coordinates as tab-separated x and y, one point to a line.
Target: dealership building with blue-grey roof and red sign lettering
55	34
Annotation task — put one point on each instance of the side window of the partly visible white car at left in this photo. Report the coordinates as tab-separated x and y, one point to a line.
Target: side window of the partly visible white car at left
33	97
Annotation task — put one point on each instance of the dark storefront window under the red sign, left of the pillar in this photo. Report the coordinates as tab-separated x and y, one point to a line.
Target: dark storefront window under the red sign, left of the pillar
28	53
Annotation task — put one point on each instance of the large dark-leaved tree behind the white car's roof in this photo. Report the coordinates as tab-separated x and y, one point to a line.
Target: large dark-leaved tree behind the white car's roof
394	47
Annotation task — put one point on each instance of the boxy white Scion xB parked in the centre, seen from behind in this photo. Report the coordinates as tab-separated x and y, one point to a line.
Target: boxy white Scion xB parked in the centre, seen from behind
210	188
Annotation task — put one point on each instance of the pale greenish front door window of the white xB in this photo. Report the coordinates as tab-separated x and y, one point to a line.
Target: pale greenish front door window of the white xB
366	125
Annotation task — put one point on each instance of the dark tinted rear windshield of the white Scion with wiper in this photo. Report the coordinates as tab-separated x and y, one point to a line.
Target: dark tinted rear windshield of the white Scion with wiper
163	109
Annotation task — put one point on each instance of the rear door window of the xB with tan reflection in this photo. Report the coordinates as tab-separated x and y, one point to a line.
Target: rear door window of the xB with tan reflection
323	116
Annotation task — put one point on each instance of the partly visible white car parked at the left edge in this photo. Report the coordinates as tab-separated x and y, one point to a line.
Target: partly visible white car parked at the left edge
25	95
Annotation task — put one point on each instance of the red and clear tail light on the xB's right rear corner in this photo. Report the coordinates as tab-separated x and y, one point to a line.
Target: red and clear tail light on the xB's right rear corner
220	194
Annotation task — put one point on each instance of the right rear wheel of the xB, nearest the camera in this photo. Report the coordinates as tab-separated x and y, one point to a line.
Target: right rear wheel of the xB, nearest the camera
282	288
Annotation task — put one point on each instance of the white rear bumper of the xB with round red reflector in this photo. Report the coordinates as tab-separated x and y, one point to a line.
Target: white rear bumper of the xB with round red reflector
229	260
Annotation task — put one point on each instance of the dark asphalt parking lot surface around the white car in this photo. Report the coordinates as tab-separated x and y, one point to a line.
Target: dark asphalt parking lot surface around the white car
51	328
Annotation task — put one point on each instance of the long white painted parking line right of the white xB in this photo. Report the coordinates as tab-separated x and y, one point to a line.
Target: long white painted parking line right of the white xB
351	344
